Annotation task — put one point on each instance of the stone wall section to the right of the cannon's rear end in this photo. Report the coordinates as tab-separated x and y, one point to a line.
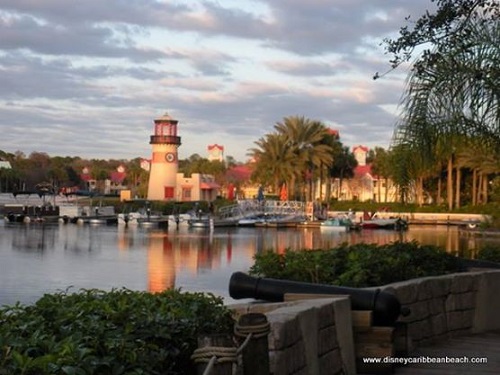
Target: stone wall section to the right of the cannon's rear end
450	305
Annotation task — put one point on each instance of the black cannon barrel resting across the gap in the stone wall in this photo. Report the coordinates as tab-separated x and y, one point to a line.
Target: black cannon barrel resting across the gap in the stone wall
385	306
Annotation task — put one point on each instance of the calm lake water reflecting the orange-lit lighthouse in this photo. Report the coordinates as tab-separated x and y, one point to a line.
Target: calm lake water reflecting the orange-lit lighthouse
37	259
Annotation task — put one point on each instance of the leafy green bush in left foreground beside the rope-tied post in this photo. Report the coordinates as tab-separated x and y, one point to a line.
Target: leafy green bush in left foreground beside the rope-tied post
117	332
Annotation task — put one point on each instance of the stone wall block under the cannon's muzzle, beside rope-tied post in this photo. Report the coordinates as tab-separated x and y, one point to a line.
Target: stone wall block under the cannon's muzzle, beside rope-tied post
311	336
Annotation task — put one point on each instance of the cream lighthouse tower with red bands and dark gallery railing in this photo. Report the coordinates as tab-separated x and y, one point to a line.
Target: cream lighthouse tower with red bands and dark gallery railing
164	161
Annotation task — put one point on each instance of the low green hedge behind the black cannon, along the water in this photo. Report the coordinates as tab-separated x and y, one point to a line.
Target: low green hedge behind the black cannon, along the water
361	265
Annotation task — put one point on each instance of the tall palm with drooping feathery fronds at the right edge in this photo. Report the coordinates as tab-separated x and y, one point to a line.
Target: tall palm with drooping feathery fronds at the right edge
455	100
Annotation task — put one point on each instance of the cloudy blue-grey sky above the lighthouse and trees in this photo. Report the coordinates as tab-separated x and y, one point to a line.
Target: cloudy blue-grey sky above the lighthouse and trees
87	78
